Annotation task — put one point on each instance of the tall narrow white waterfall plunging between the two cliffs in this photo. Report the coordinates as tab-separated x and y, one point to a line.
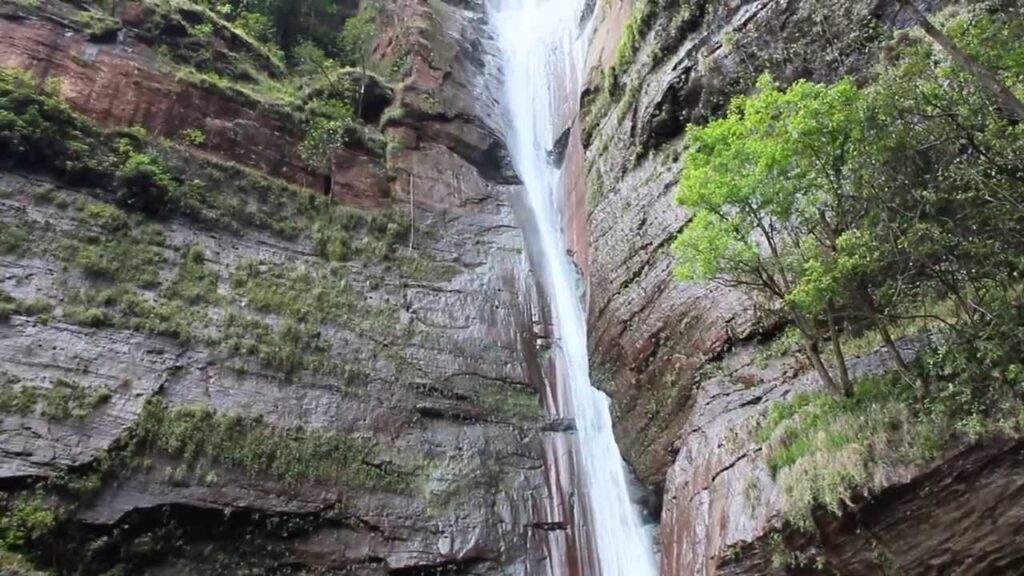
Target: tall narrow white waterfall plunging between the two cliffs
545	45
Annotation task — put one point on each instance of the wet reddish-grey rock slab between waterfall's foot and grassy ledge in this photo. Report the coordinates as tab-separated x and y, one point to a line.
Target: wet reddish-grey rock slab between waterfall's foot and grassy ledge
719	493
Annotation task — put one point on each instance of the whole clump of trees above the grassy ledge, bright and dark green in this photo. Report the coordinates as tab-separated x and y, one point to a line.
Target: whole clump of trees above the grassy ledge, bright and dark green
855	209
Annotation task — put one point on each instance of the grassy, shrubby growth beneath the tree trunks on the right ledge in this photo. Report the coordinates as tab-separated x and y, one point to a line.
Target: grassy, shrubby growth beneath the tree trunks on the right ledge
823	449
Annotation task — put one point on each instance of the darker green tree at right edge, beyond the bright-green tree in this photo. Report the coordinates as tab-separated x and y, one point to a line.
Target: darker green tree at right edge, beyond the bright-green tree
947	205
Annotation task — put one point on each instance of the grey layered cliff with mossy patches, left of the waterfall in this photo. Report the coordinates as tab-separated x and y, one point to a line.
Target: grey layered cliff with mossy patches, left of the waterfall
164	365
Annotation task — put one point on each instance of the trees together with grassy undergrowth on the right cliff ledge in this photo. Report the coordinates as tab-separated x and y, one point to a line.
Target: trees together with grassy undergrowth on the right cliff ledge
867	213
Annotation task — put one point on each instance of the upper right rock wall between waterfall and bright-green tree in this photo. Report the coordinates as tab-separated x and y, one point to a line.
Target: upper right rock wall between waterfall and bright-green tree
651	334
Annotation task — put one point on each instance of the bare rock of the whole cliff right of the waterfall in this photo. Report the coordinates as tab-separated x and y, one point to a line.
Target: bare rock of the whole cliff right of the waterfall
686	363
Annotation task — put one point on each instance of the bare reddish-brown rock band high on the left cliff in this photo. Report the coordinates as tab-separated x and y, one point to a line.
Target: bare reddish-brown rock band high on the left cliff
120	85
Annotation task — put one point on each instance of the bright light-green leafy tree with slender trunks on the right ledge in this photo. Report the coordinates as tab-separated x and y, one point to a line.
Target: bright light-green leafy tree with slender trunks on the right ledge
767	187
